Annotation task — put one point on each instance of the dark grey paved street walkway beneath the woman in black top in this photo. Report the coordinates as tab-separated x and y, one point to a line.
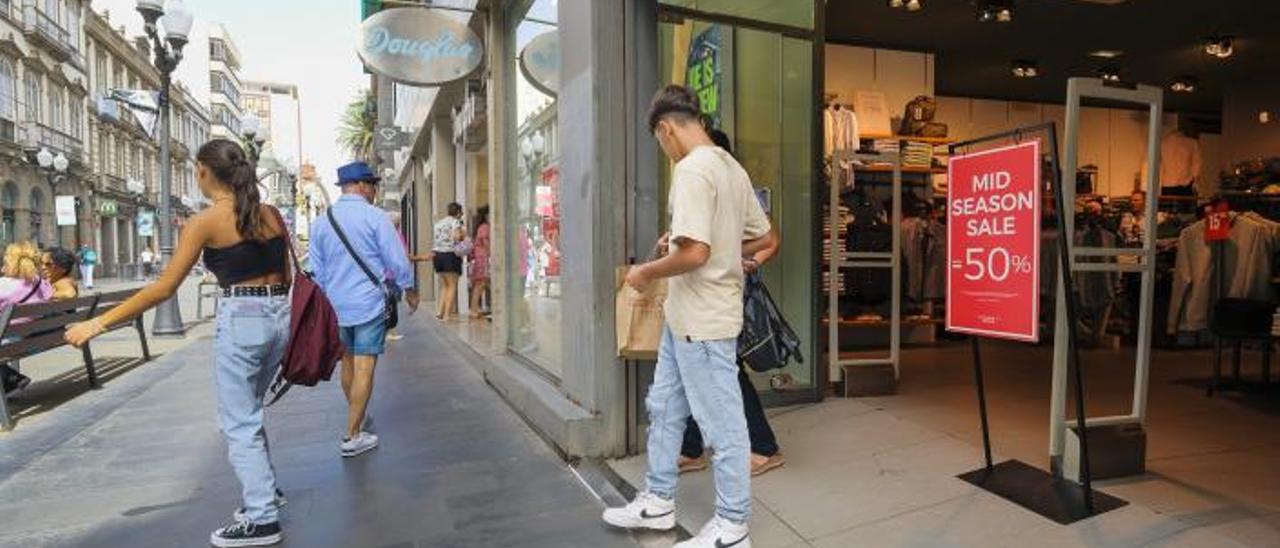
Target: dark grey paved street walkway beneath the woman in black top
145	467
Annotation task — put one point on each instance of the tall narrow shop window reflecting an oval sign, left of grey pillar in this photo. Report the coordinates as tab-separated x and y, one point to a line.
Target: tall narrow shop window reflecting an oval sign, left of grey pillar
537	257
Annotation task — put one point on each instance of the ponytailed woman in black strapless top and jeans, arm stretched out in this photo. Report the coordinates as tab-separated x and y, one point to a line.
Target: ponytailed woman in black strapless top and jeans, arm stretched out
245	245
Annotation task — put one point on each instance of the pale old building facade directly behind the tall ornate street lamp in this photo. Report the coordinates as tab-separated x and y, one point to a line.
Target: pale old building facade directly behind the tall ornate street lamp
126	154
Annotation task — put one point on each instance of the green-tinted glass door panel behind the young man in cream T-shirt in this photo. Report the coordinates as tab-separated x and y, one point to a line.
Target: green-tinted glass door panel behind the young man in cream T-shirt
757	86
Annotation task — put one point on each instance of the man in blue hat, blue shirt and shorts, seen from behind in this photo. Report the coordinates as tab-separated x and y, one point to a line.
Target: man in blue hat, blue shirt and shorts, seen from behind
359	303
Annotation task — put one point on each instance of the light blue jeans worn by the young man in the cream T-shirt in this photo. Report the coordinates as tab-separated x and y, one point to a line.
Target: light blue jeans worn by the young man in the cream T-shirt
700	378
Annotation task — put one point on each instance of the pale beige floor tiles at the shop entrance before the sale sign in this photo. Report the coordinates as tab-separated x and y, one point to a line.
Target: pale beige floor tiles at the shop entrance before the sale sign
860	476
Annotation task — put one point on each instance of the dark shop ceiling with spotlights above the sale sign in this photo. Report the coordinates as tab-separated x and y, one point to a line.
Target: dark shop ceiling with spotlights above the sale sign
1162	40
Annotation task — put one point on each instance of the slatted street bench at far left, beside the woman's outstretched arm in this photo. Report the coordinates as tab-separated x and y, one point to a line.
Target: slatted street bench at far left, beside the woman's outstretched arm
31	330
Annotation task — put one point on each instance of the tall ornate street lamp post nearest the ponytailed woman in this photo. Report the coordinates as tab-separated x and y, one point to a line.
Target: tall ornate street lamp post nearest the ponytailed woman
168	53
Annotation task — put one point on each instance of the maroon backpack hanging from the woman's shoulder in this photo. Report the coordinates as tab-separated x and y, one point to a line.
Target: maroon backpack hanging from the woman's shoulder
314	348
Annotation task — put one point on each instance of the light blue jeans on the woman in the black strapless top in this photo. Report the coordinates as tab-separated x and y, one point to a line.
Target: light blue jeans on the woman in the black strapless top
249	345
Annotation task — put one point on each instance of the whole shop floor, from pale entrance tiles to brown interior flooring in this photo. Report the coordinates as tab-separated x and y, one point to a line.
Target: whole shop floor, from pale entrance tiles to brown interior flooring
881	472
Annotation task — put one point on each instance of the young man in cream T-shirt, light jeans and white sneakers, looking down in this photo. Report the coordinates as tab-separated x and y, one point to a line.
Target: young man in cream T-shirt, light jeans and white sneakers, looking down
716	221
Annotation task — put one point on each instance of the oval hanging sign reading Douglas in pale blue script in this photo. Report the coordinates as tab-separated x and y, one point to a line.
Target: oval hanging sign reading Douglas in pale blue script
419	47
